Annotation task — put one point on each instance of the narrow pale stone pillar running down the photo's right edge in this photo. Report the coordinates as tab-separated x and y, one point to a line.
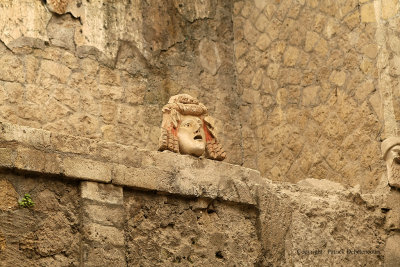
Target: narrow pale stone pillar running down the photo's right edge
386	15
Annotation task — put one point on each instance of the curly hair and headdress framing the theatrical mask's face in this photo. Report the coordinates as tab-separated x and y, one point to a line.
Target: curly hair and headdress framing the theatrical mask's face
184	104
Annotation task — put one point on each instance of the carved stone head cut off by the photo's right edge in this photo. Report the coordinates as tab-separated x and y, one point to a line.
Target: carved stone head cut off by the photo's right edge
391	154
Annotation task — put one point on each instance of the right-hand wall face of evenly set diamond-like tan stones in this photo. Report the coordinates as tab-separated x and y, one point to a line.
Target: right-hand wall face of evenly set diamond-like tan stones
311	75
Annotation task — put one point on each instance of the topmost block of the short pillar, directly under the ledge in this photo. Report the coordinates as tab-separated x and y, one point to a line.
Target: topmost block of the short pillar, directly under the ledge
104	193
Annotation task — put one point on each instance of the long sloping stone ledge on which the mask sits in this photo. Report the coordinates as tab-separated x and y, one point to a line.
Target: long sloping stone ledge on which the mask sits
40	151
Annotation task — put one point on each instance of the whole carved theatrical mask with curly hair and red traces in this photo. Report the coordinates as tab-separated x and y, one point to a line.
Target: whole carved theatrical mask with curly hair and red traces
187	129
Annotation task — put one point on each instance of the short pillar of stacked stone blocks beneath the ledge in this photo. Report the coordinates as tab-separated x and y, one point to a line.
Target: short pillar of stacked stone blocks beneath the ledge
102	225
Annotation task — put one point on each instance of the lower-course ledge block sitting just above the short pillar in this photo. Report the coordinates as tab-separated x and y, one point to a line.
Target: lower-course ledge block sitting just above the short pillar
86	169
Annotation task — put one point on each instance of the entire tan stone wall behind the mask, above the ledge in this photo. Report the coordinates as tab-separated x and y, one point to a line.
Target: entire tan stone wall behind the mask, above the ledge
300	88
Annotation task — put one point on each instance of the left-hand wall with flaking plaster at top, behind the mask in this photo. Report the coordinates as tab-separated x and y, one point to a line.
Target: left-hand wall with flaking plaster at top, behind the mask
104	69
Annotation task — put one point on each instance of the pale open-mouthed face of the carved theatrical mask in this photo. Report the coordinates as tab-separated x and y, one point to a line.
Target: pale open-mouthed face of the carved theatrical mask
191	136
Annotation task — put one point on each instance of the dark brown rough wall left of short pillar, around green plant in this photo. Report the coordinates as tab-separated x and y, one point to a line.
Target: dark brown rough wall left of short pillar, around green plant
47	234
